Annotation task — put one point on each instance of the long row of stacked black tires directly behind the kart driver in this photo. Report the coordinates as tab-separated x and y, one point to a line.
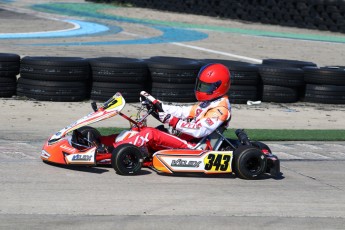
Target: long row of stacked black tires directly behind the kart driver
171	79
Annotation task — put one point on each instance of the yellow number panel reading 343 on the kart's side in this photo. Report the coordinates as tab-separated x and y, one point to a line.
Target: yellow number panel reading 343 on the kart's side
218	162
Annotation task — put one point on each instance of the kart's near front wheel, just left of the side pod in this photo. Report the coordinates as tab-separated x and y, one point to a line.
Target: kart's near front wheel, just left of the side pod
126	159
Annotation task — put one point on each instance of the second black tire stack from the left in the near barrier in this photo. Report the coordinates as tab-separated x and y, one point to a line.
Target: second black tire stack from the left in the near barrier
54	78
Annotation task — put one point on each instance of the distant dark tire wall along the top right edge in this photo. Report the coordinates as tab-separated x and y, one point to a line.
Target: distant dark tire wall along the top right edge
311	14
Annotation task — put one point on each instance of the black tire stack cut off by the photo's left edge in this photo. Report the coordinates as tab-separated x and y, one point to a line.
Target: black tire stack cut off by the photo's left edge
9	69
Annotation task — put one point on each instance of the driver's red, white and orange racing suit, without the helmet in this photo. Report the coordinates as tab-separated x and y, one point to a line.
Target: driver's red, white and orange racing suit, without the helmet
193	122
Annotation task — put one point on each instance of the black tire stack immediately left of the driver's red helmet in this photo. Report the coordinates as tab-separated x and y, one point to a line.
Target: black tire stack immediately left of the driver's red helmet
173	78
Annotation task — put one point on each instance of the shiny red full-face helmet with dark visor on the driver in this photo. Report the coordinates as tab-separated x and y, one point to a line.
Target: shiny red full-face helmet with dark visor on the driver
213	81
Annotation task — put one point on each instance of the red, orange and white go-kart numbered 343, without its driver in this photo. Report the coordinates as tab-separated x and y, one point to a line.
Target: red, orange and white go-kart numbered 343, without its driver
78	144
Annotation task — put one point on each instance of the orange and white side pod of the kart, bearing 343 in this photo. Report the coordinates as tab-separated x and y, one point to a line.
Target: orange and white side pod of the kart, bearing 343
193	161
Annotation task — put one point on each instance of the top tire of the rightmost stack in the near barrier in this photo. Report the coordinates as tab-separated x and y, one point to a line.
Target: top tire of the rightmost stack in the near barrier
325	75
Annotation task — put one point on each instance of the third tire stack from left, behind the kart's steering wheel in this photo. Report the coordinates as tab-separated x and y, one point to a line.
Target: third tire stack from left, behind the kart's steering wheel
116	74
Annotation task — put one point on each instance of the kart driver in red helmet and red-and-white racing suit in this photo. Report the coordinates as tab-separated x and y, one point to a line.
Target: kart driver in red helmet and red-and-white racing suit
192	122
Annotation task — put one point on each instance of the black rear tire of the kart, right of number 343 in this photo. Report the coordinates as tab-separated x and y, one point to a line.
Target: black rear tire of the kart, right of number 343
249	162
